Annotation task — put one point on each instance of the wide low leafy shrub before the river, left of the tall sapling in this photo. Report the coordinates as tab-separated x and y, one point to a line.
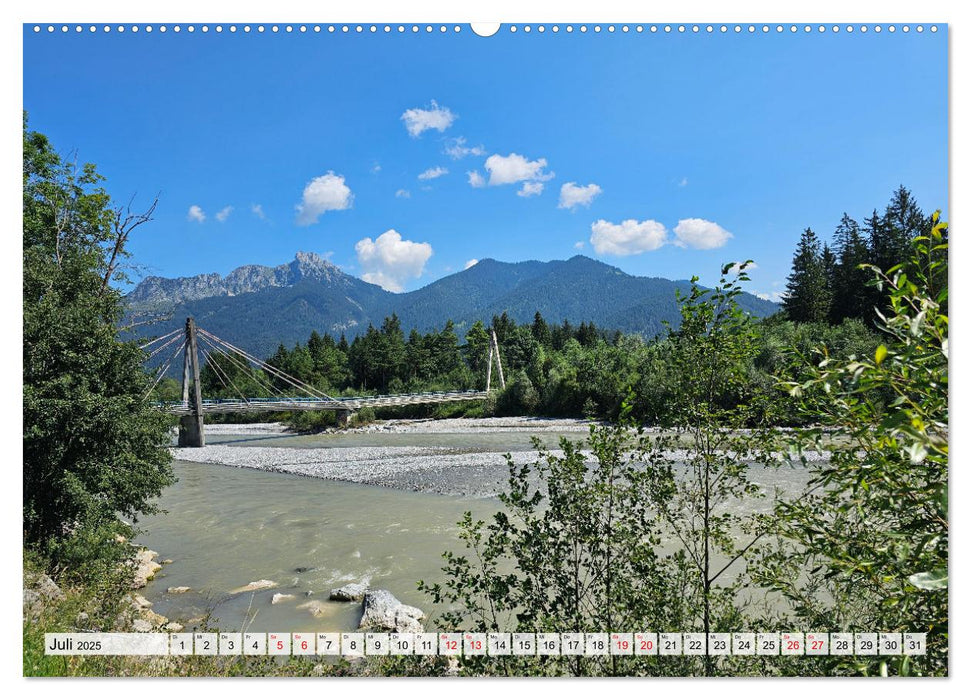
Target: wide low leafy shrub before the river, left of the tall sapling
572	550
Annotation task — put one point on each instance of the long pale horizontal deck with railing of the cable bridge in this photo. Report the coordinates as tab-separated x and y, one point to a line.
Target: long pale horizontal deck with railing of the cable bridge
353	403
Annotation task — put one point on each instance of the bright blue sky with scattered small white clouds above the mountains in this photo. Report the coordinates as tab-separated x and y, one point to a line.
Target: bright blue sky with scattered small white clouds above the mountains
663	154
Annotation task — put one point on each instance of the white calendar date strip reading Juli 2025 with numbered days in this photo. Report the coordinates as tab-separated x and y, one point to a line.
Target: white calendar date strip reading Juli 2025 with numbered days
469	644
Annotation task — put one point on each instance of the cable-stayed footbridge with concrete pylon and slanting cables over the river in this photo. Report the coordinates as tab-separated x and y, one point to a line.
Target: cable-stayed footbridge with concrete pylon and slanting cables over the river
226	360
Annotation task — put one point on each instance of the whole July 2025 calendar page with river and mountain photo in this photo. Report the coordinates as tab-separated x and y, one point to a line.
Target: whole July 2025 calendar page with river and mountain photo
436	349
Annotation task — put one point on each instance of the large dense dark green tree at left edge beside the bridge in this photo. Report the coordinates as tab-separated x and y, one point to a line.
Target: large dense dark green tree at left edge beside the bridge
94	448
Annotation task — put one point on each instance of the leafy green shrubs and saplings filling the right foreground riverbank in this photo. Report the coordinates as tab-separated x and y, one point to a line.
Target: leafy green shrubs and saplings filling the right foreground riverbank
863	548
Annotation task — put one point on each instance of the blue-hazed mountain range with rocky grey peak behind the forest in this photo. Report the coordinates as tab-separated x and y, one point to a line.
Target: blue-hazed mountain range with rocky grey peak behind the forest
258	307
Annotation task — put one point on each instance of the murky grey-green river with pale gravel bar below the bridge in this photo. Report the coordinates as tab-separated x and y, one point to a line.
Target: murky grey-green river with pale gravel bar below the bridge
235	516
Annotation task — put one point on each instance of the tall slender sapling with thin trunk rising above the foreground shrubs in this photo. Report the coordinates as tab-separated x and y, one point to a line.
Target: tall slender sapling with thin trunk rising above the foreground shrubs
699	496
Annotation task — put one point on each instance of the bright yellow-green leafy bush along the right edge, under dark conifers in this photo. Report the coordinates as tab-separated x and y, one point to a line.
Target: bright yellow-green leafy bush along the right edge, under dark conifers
873	530
